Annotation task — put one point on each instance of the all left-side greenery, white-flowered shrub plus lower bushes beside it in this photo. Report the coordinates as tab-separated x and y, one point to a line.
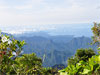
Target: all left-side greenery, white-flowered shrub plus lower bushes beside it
13	63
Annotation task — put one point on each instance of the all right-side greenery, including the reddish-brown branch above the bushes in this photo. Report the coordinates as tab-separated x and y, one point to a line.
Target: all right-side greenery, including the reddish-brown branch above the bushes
87	63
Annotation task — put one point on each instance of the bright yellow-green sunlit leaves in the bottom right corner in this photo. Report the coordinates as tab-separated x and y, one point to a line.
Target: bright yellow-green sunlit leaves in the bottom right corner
91	67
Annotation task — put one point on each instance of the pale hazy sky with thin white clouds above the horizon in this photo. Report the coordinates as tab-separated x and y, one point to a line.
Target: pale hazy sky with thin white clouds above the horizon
38	12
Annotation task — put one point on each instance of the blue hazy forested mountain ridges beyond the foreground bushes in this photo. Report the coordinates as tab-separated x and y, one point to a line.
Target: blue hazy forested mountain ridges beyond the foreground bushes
55	49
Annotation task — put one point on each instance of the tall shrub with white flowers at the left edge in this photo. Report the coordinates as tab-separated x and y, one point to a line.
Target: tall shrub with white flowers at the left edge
9	48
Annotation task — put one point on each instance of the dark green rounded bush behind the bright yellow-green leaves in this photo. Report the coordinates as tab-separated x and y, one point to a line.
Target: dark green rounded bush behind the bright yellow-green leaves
81	54
